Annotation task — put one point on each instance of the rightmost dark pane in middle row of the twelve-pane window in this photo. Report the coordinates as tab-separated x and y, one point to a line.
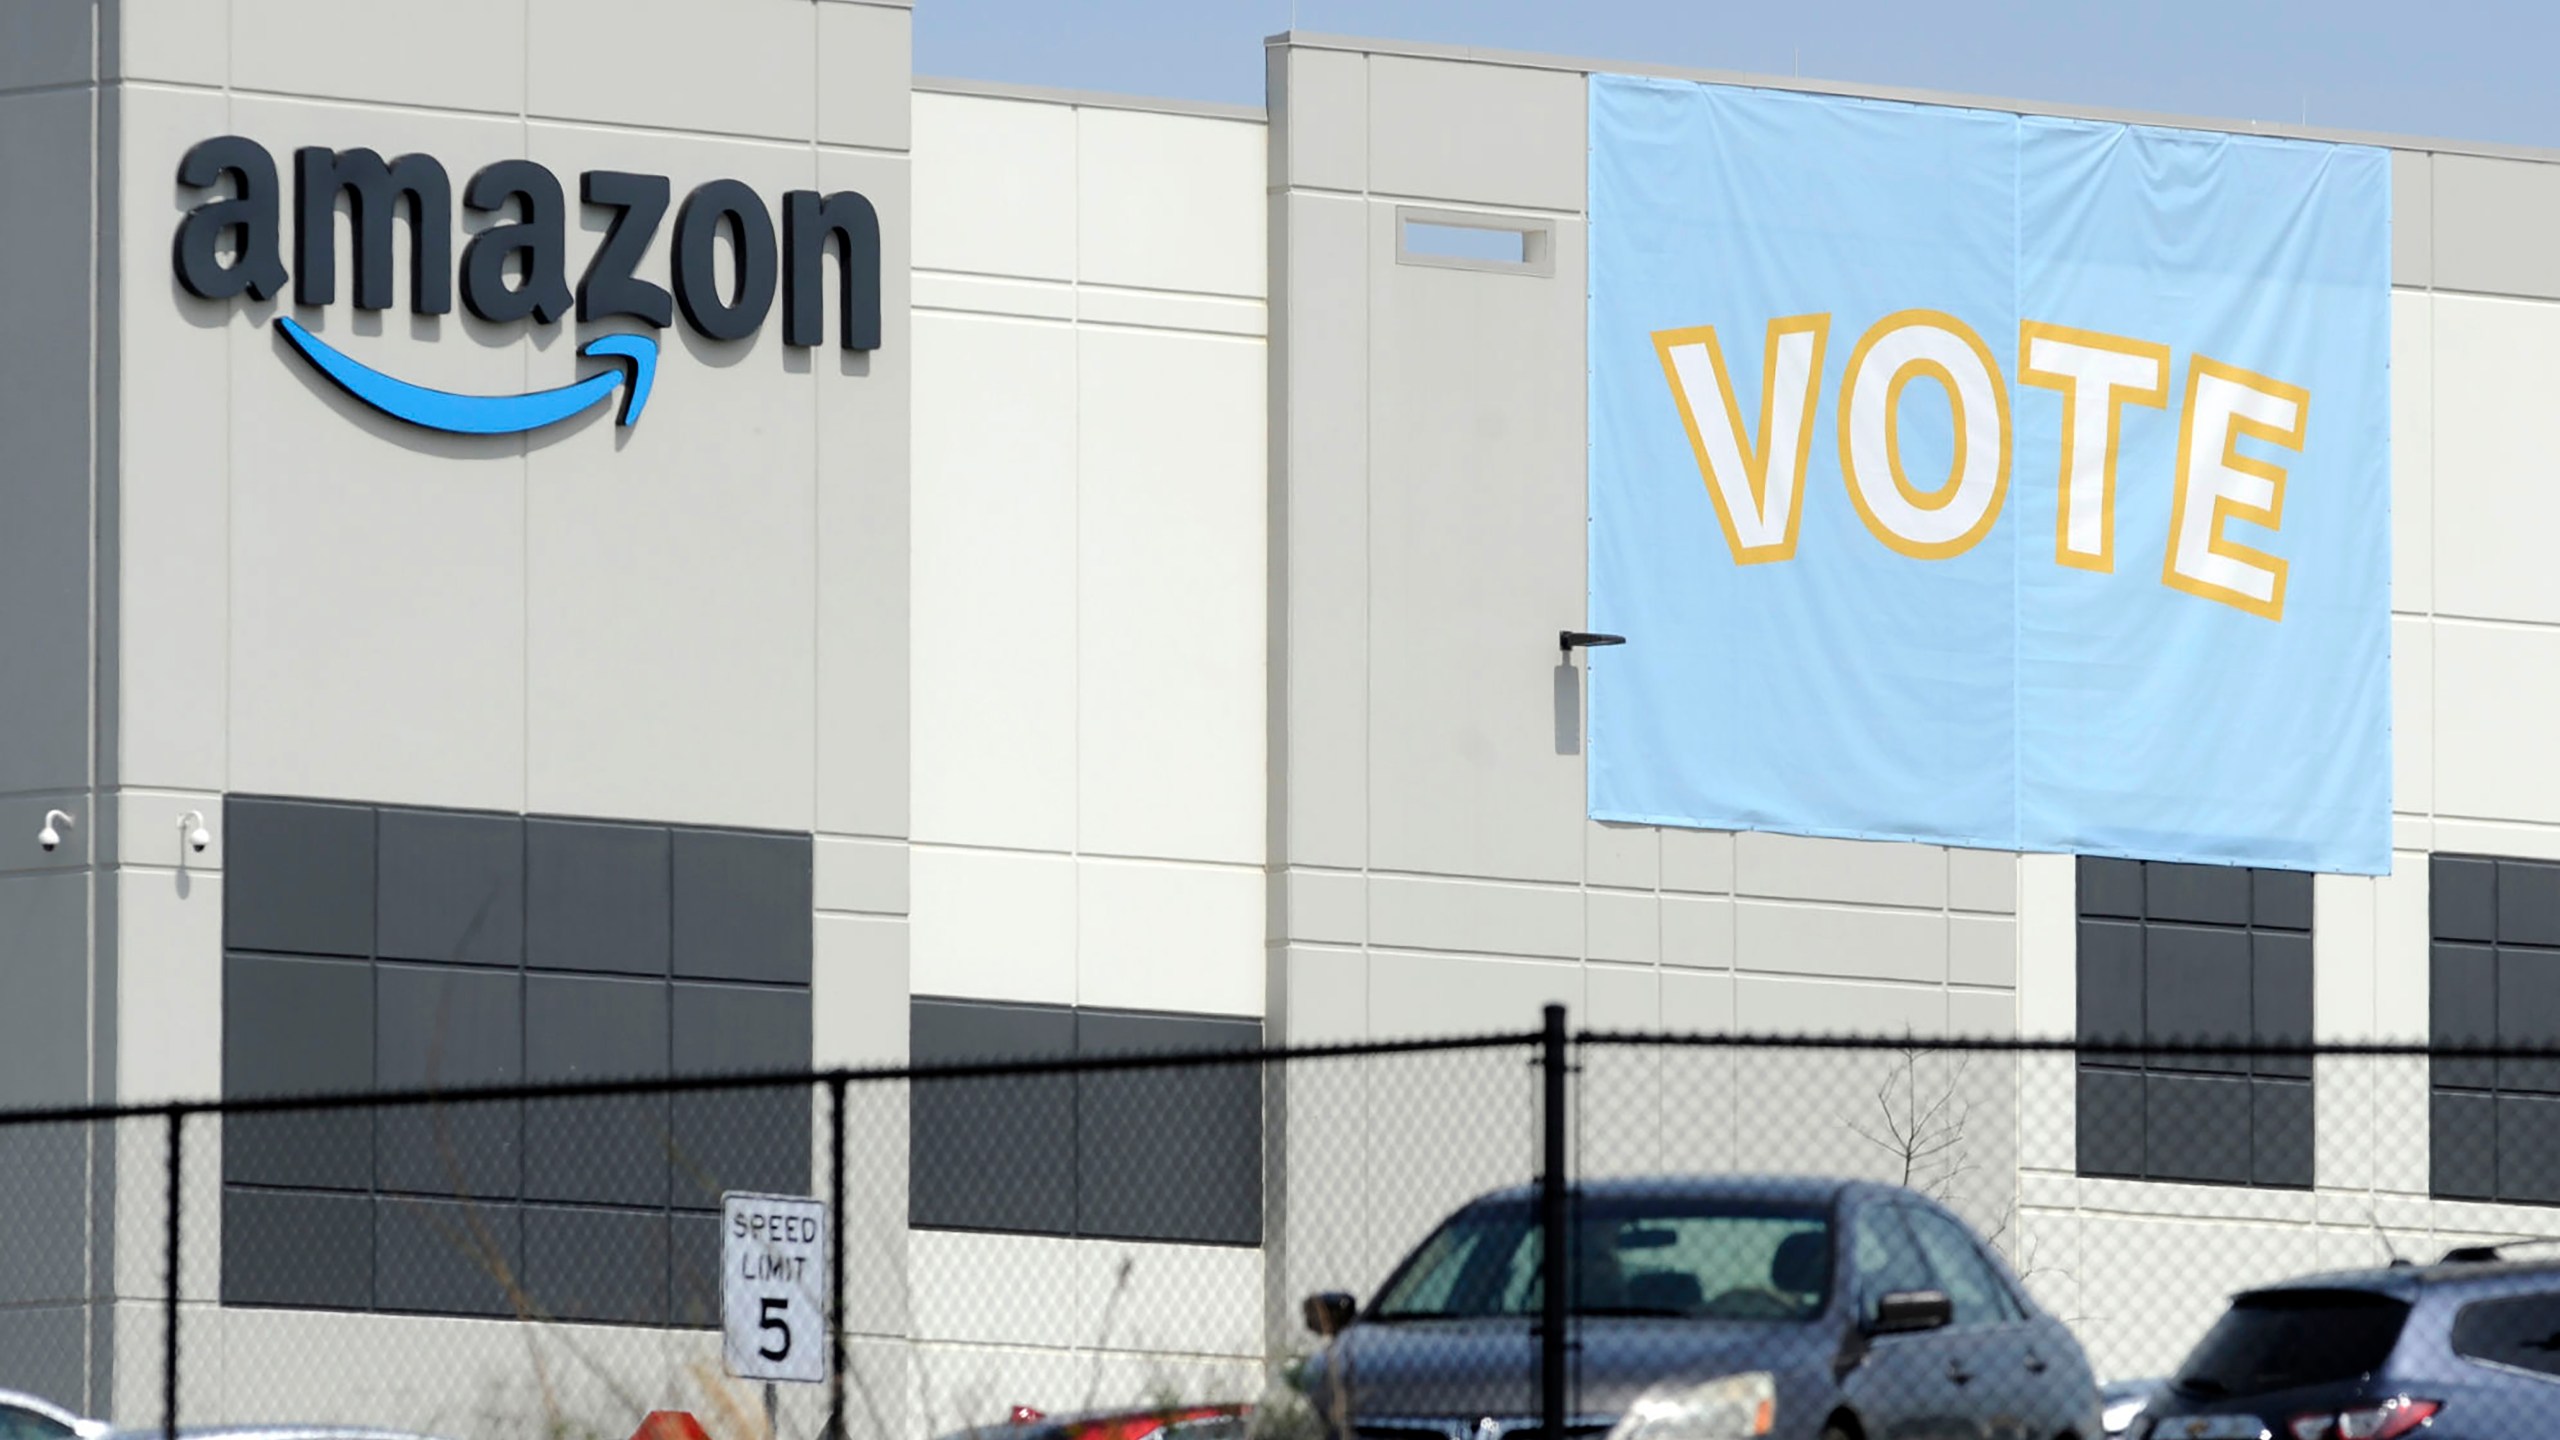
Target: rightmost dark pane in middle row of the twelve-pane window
754	1139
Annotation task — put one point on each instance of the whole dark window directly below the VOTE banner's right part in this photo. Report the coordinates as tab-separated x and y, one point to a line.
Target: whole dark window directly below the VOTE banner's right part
2195	954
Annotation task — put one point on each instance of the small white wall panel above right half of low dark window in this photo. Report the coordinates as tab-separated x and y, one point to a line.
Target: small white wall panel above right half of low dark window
1158	937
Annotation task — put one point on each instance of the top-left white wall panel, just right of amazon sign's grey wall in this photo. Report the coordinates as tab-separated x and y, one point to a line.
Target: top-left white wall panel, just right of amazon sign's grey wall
995	186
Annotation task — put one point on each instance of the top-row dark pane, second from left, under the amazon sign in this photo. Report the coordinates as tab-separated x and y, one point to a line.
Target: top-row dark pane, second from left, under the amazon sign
452	888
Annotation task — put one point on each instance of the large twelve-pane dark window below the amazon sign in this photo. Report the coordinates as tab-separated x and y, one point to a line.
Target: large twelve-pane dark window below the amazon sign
421	949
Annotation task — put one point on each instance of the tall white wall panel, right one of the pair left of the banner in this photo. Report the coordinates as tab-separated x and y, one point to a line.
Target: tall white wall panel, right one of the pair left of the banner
1171	596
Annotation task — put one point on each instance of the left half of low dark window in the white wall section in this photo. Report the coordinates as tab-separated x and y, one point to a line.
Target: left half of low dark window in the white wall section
992	1154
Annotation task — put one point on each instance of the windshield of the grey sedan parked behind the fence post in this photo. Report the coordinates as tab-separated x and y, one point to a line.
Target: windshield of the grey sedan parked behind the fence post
1670	1257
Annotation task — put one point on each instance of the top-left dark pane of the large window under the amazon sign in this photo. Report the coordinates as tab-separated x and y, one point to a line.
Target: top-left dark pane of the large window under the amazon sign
298	878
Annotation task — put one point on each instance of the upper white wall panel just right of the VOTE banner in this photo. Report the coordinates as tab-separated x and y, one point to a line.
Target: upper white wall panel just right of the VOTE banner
2497	450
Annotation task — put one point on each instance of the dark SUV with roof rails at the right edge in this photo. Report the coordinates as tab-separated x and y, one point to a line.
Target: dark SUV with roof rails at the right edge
2467	1349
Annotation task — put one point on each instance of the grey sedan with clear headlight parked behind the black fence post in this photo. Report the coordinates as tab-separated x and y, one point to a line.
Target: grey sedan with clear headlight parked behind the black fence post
1706	1308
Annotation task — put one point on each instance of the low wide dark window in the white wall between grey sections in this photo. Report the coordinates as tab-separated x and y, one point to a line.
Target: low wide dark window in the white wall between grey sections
1146	1154
